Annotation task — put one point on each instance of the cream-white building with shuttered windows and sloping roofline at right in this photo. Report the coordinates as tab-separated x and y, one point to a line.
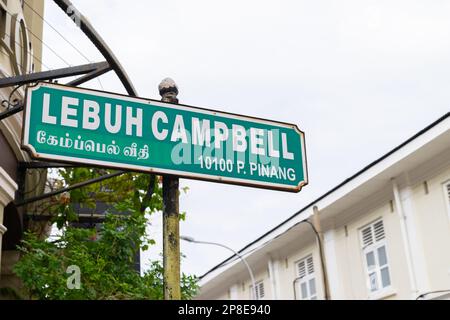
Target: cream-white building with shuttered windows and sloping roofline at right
386	235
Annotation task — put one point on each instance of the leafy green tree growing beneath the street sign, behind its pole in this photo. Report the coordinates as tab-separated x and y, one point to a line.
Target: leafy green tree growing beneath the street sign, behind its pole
105	257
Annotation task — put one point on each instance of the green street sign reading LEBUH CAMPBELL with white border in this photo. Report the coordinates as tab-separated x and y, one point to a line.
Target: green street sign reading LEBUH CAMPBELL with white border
76	125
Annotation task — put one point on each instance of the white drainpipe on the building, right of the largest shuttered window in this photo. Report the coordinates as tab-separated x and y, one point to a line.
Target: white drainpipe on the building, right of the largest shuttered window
405	235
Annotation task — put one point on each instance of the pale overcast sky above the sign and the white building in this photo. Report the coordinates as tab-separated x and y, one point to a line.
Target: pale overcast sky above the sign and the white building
358	77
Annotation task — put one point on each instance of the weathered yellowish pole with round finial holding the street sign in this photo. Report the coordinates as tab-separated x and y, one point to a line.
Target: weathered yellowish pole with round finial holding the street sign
171	218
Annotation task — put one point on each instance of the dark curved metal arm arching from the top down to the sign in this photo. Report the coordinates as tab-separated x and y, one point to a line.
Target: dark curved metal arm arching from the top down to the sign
99	43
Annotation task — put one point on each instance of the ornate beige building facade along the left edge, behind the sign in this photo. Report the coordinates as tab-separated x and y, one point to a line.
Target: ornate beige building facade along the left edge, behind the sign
21	31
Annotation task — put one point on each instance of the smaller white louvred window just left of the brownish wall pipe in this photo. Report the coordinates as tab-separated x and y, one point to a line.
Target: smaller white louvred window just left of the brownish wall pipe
306	288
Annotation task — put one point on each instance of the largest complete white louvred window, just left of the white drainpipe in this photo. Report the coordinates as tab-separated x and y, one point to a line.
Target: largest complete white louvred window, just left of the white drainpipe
375	256
